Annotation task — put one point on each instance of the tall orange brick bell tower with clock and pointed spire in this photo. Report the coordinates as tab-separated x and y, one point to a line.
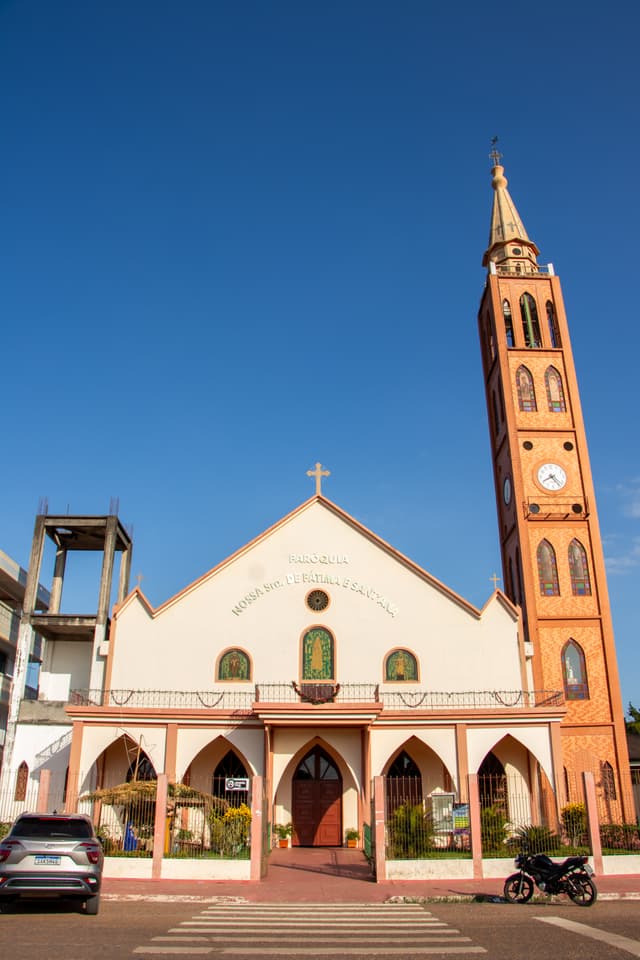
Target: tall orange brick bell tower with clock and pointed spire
552	557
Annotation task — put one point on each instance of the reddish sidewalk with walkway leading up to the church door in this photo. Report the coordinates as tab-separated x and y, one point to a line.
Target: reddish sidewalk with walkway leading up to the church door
328	875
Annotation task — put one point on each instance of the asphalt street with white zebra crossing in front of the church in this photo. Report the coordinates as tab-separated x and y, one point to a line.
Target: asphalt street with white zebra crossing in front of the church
152	928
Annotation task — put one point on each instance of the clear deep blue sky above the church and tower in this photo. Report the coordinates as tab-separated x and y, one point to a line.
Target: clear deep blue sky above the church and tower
238	238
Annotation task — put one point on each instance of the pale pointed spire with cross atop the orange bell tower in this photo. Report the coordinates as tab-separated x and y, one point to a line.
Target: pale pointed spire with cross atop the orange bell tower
509	245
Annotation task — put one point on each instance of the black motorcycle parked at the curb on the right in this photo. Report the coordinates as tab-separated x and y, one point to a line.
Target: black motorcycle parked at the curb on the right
573	876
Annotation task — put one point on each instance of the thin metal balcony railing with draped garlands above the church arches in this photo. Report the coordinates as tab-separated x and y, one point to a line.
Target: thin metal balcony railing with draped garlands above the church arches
316	694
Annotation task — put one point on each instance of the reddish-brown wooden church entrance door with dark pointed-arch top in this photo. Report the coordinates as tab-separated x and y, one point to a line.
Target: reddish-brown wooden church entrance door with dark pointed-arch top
317	802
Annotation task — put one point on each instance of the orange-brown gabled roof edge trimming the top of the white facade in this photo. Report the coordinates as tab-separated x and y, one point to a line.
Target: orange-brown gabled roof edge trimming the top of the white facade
341	514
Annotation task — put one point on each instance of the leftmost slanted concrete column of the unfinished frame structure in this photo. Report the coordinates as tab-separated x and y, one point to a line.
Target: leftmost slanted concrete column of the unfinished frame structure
23	649
